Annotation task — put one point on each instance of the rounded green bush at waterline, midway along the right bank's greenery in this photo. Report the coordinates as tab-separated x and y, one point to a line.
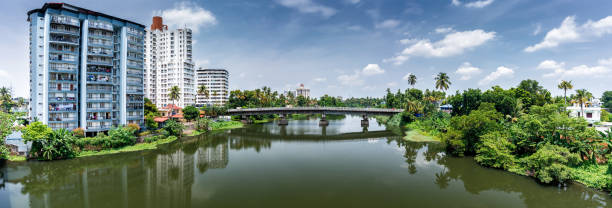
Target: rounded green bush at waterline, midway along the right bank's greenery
495	151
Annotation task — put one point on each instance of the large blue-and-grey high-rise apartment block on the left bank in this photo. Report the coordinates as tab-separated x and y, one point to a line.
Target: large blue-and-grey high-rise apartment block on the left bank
86	68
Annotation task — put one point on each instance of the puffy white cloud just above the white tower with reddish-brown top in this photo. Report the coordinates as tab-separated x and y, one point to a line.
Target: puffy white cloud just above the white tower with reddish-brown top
188	14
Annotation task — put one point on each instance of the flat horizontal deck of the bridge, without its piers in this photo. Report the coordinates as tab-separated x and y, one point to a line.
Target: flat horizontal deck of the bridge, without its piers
314	110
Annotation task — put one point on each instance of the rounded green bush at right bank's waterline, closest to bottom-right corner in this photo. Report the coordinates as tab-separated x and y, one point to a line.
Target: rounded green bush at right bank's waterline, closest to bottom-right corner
550	163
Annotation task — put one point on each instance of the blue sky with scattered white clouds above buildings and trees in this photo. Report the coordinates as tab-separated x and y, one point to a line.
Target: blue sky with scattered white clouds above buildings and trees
358	48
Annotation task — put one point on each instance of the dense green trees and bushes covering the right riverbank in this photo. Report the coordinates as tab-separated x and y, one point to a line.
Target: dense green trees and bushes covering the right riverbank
523	130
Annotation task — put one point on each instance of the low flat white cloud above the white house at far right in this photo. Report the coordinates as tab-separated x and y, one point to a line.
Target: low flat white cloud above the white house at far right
559	70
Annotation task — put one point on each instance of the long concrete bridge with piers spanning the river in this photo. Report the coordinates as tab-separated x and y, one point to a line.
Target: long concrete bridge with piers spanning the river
284	111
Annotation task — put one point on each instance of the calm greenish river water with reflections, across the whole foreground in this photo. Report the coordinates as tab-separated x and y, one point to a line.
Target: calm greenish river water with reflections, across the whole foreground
300	165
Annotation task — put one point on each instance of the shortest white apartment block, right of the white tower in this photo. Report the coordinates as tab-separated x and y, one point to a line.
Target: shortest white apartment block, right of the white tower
217	84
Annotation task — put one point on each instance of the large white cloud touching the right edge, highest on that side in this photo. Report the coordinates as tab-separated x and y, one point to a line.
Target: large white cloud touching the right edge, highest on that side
569	32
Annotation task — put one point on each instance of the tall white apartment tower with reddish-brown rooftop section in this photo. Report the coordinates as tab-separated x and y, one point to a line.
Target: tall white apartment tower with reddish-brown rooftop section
168	63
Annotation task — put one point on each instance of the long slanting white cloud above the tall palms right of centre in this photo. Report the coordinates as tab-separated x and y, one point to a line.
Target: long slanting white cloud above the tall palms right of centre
452	44
